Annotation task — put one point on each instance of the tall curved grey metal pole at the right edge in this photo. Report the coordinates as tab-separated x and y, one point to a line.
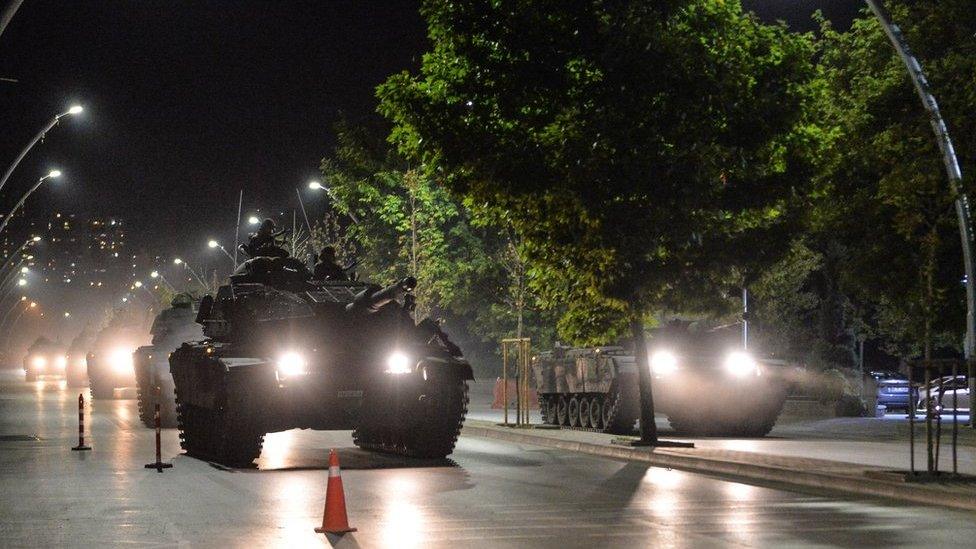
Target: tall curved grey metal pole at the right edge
952	170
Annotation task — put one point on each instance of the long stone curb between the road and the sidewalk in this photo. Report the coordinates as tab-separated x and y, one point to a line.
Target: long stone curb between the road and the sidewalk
845	484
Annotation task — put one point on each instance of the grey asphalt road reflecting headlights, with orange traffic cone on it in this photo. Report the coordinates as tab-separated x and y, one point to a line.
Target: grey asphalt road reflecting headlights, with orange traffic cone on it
488	495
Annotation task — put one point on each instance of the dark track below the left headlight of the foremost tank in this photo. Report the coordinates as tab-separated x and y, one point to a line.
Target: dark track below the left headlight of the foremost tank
223	434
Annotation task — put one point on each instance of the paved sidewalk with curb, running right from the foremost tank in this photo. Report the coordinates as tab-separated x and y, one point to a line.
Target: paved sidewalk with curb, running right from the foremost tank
854	456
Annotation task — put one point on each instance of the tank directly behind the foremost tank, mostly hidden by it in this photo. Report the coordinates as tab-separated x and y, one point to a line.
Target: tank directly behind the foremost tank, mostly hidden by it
154	383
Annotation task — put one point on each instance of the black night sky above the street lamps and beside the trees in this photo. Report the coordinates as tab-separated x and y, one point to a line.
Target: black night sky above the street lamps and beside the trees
187	103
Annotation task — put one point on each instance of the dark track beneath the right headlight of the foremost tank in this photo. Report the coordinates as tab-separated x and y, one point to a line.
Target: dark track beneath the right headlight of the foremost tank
425	431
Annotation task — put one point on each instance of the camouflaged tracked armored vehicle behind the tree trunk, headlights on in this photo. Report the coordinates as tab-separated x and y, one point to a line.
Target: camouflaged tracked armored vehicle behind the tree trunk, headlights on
705	383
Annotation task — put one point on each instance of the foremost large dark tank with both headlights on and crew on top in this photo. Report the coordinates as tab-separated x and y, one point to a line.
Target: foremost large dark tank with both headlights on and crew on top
283	352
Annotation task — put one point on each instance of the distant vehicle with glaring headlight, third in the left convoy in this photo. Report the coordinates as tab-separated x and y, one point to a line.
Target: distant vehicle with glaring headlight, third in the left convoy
110	357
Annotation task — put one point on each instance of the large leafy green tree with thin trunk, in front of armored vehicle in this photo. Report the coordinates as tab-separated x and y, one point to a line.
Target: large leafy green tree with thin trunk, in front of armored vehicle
645	151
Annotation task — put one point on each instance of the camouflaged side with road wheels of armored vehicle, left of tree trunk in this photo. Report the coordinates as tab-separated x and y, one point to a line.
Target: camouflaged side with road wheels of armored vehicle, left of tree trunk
588	389
